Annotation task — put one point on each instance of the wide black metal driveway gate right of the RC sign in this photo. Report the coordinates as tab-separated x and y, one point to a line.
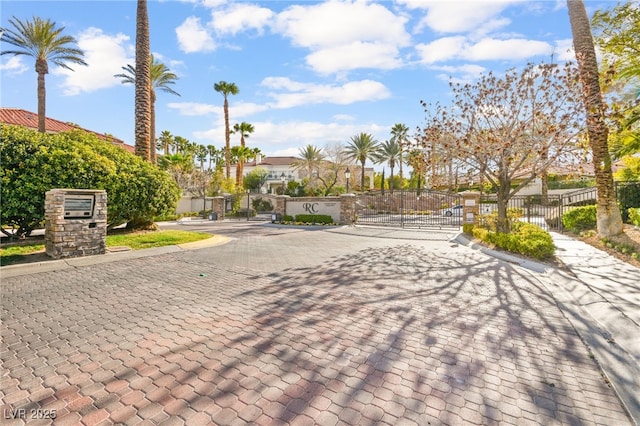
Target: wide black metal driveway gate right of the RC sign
410	208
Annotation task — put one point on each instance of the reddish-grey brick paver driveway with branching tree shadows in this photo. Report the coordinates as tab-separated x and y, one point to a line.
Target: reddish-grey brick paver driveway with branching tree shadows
302	327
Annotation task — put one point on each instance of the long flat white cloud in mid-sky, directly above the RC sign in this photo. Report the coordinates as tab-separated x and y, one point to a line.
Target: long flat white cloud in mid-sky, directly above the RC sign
290	93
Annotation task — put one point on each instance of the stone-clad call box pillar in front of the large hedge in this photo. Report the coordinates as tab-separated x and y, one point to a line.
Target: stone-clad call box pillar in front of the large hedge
75	222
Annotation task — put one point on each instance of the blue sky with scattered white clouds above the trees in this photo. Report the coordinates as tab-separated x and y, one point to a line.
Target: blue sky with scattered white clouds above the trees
308	72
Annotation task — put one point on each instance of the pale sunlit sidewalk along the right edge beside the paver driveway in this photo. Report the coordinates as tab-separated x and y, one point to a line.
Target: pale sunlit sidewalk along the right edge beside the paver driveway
601	298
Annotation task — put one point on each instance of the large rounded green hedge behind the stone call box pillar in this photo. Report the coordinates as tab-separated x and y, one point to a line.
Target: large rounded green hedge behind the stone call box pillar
33	163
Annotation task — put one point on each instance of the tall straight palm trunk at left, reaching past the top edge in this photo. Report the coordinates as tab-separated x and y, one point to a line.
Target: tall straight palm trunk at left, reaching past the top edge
143	83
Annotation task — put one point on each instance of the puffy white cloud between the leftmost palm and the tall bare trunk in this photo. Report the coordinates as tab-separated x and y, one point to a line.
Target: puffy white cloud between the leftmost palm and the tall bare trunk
105	56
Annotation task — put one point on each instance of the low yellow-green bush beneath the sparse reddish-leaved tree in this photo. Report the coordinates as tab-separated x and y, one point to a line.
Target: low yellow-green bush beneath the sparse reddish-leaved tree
526	239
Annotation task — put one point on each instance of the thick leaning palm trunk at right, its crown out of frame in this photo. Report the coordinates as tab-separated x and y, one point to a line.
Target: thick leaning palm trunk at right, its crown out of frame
609	220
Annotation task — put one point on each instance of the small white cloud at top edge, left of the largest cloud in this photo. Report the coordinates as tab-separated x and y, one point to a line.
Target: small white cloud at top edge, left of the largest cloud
240	17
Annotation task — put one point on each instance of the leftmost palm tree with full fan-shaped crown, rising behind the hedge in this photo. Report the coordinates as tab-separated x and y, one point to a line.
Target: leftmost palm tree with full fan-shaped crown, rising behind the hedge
42	41
